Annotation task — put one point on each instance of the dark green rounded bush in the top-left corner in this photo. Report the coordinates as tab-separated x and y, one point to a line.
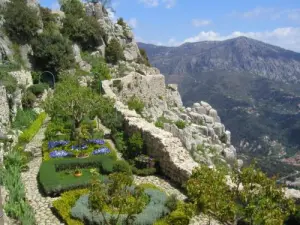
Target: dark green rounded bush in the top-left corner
21	22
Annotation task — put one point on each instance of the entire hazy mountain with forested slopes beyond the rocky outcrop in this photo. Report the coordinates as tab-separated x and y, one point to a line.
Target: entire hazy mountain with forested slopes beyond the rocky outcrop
253	85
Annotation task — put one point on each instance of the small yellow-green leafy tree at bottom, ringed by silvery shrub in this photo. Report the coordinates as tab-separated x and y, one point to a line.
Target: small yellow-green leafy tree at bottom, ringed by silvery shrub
116	193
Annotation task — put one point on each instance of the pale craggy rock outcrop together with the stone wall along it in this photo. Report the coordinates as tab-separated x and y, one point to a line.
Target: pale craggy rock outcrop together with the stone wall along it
172	146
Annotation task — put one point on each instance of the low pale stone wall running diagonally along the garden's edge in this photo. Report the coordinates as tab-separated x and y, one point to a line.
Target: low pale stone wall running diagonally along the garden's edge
174	159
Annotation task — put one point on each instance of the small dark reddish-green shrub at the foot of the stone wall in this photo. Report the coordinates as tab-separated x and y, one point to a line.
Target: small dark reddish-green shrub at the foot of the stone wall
135	145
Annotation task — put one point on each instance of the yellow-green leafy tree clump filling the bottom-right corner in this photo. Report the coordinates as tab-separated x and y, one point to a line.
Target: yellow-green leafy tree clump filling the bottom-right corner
253	198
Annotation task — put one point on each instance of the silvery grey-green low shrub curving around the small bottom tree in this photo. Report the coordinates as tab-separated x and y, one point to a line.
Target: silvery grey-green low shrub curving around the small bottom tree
153	211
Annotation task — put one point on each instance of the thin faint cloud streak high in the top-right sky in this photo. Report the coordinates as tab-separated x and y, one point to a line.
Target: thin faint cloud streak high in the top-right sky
269	13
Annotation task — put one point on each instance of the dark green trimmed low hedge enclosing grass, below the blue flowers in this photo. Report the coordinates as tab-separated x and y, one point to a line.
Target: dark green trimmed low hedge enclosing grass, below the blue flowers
54	180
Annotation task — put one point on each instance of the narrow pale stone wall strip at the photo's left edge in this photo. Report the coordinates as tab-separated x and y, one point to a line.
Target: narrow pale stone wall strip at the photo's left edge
4	110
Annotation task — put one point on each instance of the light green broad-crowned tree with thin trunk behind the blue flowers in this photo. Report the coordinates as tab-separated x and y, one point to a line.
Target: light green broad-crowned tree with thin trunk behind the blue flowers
72	101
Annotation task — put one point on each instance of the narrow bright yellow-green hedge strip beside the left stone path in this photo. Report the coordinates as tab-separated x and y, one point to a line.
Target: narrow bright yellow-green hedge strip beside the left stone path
29	133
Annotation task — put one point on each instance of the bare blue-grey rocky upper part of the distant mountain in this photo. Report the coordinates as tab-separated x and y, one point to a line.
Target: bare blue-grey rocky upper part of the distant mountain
240	54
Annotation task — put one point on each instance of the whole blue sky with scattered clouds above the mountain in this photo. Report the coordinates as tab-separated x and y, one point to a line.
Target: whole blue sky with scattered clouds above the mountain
174	22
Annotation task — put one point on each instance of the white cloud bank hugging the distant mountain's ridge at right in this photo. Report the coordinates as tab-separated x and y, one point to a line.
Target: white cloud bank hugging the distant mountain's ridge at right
286	37
